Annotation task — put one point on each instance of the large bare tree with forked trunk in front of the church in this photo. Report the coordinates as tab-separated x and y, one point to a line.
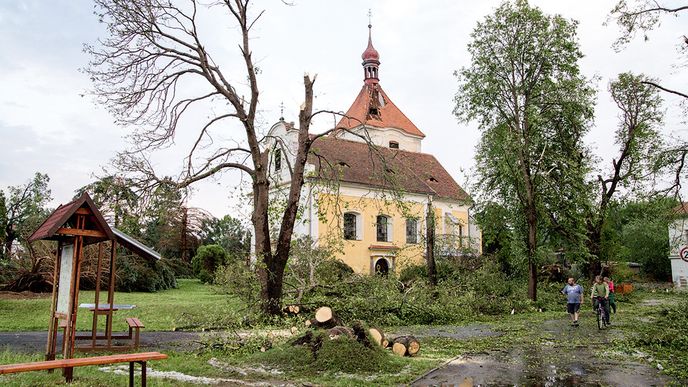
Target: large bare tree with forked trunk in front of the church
154	68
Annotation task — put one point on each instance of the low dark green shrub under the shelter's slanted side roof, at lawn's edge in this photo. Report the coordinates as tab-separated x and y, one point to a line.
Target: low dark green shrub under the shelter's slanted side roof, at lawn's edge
135	274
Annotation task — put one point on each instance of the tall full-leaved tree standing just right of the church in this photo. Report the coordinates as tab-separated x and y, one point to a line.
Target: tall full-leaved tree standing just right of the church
533	106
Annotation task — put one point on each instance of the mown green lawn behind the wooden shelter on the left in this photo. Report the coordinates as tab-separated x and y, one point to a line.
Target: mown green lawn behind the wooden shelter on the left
185	307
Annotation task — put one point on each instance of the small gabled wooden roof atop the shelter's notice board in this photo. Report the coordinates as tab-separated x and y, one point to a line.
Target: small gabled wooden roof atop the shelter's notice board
60	225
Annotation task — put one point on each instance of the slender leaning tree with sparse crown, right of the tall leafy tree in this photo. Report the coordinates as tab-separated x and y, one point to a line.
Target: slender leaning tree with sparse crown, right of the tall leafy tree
638	139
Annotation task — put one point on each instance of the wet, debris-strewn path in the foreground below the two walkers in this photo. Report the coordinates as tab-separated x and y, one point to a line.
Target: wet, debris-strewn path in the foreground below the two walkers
555	354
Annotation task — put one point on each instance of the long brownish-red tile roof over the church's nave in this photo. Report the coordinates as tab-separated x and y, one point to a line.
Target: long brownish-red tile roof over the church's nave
348	161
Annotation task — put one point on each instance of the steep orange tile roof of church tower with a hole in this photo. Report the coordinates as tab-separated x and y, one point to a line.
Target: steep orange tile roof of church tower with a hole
373	107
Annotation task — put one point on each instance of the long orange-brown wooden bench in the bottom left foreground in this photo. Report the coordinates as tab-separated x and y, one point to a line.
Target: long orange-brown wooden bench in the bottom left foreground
130	358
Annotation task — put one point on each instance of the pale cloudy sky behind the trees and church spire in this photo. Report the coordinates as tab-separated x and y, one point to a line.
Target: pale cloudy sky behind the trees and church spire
48	123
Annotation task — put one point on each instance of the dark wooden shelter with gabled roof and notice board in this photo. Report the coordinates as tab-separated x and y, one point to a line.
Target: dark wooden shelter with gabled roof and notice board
75	225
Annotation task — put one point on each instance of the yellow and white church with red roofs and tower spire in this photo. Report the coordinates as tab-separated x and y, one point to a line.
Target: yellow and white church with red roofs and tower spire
369	186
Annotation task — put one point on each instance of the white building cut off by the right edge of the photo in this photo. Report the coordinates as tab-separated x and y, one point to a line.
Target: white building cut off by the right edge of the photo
678	246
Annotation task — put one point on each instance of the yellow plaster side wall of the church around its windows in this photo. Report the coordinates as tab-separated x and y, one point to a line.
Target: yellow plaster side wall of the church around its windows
358	253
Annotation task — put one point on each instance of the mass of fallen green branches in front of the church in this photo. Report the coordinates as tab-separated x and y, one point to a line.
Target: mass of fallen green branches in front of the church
466	291
